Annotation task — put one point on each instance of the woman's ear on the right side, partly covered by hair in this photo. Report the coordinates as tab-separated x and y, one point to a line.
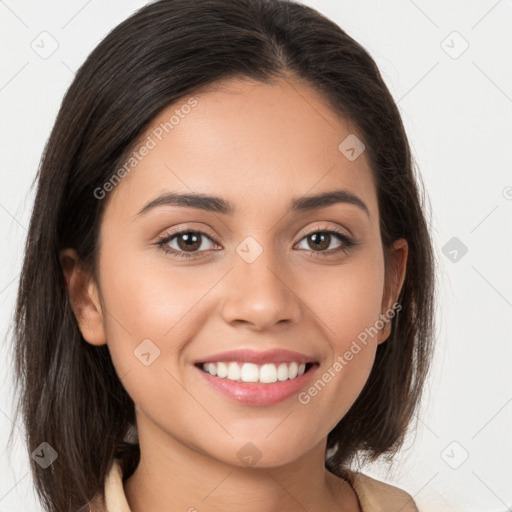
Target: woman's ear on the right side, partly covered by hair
394	281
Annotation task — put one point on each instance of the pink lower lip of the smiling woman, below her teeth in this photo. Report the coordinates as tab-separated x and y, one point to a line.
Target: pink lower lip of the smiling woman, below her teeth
257	393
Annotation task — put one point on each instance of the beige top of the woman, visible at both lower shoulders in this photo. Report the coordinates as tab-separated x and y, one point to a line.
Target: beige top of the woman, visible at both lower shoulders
374	495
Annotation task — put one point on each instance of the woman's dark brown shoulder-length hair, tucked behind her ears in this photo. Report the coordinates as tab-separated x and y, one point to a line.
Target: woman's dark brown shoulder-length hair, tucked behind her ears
71	396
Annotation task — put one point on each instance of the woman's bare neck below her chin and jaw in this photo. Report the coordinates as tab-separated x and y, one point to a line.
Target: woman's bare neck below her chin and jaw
172	477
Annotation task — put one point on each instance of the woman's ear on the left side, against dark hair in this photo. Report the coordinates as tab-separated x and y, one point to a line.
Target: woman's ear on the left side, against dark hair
84	298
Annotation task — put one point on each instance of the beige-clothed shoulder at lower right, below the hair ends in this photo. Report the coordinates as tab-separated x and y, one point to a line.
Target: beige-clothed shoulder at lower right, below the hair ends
377	496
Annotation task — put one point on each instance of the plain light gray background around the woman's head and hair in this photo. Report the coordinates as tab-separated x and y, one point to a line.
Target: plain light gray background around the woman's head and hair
456	106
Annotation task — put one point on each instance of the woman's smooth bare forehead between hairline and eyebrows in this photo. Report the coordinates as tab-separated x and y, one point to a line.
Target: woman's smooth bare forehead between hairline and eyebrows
248	142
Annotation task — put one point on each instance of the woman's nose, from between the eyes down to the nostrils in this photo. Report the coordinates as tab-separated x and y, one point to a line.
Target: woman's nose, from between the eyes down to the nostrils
258	293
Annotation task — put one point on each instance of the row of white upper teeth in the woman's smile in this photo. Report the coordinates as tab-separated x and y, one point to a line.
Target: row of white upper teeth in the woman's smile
250	372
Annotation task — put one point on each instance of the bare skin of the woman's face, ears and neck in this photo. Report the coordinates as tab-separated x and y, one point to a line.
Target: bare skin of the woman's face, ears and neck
258	146
